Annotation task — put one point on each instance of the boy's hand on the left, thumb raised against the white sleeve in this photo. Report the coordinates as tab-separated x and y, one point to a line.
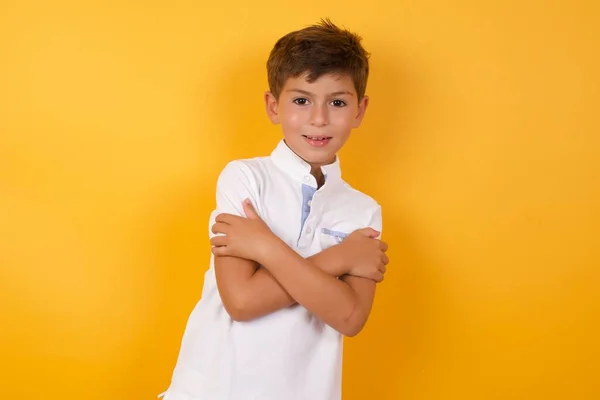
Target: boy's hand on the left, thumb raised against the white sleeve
248	238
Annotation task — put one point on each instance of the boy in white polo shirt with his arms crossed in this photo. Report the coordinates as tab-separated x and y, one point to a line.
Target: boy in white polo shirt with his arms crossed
296	254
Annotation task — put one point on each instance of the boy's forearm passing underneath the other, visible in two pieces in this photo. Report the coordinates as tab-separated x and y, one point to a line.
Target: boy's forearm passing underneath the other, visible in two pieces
263	294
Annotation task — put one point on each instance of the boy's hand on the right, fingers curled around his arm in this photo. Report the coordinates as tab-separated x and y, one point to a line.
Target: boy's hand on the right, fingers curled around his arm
365	255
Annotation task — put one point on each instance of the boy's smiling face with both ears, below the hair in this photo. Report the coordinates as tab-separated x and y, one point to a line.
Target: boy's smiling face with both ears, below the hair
317	117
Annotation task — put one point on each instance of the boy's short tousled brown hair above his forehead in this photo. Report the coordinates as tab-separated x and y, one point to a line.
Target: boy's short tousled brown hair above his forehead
318	50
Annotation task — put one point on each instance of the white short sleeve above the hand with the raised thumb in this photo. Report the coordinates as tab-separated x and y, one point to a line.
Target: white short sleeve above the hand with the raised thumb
235	184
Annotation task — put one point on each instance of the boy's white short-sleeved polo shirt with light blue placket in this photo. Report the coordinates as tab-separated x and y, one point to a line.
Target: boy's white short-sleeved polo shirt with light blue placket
289	354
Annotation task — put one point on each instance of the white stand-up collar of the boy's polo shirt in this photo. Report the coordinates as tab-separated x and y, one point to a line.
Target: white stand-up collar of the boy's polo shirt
287	160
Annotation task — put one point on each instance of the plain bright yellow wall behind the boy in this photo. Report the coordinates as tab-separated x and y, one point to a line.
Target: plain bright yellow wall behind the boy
481	143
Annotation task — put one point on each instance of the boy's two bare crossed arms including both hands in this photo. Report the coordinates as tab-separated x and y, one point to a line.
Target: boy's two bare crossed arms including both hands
249	291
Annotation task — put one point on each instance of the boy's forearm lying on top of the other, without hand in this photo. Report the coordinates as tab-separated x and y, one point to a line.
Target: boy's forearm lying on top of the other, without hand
330	299
